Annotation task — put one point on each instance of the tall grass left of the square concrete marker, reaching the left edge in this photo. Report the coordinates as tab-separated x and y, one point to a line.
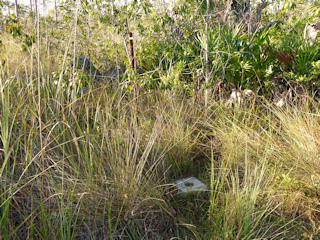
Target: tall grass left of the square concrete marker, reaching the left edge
97	167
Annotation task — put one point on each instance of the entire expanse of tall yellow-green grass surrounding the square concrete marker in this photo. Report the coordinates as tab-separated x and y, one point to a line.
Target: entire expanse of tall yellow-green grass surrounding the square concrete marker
105	167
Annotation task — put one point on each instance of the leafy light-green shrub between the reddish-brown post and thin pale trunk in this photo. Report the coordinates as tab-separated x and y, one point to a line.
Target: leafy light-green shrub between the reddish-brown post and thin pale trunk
168	40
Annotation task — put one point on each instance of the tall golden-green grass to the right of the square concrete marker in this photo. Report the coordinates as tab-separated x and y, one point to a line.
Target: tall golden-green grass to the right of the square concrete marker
263	185
